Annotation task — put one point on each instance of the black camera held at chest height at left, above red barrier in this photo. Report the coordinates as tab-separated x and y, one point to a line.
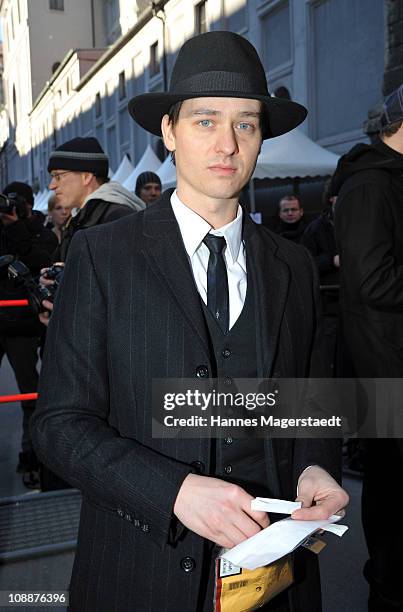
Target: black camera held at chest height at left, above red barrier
36	293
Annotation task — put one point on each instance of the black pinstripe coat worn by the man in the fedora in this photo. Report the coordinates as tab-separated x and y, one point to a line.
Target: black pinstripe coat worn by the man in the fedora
128	312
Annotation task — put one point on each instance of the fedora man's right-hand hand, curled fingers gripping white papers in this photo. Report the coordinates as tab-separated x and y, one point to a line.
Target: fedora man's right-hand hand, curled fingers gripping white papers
320	495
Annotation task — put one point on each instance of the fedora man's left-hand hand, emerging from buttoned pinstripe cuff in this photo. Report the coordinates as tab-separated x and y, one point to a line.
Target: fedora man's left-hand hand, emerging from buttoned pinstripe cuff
218	510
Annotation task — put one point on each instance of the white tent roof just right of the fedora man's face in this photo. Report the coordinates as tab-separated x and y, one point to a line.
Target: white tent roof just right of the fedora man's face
294	155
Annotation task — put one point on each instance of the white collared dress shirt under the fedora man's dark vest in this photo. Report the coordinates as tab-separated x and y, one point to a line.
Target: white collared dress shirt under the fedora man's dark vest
193	229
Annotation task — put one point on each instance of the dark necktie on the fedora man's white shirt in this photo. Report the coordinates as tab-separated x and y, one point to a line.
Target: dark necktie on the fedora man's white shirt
217	281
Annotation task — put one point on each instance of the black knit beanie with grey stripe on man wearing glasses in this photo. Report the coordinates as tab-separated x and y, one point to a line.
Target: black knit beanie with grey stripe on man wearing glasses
80	155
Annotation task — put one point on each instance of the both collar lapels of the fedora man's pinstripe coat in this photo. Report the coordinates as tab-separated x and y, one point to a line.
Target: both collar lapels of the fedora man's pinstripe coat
165	252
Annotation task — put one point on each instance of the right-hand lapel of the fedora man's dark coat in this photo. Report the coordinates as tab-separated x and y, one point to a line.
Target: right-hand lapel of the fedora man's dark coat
270	278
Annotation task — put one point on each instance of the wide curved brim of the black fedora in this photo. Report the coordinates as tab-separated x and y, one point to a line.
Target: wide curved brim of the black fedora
282	115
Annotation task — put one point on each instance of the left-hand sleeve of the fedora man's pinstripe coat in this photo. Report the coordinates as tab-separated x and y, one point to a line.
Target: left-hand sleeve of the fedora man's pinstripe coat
70	426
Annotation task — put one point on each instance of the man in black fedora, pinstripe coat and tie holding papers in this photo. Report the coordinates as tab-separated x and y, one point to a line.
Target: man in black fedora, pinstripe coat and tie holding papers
191	289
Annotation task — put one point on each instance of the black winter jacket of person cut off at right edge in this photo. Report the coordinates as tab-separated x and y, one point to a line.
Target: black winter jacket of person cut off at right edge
369	234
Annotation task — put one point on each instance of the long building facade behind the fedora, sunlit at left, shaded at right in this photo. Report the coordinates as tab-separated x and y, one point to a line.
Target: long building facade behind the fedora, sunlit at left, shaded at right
70	67
